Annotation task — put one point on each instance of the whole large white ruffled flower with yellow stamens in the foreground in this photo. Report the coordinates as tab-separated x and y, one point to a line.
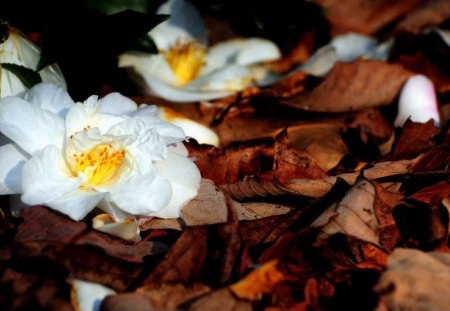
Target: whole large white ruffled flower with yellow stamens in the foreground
104	152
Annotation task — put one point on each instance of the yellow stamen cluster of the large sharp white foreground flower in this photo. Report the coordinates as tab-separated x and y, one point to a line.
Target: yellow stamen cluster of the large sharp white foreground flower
100	164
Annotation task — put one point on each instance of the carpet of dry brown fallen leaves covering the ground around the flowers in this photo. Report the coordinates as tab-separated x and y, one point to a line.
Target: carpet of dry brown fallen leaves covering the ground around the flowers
313	201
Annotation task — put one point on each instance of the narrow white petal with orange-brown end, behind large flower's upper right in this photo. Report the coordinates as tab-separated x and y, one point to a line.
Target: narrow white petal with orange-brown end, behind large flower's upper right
201	133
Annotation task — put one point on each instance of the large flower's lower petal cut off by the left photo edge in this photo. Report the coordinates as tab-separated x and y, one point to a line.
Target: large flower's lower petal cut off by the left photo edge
12	160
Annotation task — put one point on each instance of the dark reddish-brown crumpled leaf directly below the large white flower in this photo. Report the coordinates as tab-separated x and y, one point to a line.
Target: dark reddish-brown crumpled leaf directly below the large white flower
112	262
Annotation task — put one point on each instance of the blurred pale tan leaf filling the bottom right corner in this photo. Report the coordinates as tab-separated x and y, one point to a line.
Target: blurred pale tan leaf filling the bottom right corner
415	281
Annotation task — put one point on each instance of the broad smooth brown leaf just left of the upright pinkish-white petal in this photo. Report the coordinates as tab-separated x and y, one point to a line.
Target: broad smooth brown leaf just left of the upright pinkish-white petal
354	86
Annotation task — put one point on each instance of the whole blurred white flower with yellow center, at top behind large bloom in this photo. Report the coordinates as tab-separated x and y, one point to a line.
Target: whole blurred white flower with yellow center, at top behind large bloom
187	70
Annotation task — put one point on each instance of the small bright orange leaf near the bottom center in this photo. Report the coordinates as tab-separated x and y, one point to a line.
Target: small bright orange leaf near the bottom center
259	282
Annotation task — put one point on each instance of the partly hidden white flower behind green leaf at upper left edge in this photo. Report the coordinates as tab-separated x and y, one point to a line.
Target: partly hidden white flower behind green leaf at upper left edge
21	51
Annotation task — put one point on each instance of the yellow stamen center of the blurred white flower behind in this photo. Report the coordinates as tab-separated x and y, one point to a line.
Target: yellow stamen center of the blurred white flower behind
186	59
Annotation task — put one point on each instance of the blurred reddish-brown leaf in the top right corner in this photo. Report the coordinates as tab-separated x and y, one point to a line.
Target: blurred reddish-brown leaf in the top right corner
432	13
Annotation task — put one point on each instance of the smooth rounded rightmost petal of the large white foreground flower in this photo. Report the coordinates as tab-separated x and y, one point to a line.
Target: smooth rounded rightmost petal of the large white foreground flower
185	178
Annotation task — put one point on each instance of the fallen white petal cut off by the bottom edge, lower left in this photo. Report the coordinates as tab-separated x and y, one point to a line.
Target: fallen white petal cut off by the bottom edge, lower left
88	296
